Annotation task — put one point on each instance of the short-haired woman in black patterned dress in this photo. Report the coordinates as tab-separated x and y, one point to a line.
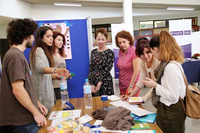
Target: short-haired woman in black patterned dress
101	63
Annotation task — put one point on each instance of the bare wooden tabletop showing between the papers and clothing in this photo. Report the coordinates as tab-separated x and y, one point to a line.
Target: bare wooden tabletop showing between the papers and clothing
79	104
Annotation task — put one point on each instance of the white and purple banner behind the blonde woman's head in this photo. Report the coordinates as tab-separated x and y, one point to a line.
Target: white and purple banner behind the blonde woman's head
182	30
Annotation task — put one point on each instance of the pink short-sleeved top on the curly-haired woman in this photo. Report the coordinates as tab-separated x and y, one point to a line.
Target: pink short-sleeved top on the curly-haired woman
125	65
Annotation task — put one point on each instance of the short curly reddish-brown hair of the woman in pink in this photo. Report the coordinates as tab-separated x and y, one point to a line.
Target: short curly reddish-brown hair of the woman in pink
126	35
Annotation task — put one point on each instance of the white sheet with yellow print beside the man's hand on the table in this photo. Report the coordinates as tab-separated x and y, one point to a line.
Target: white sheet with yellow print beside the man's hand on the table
65	114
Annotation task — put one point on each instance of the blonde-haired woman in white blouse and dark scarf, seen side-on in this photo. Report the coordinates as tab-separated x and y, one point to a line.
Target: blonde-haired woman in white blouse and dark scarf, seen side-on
170	84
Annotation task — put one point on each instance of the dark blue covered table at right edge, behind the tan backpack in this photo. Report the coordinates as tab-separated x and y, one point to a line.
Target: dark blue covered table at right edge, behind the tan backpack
192	70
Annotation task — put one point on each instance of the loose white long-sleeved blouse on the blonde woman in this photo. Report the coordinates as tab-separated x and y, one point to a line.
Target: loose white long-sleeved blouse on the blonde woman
172	84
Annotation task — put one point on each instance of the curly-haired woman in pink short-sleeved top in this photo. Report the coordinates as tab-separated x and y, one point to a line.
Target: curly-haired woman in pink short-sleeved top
128	62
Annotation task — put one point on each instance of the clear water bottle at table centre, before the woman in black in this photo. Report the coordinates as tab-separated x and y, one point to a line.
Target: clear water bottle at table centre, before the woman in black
87	94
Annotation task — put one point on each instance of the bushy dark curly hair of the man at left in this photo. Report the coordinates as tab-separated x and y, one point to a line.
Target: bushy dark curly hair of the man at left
20	29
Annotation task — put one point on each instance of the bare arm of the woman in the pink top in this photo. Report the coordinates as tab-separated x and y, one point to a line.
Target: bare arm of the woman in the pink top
136	68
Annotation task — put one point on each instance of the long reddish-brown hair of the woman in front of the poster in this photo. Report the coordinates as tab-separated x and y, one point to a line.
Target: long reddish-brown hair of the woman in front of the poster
61	50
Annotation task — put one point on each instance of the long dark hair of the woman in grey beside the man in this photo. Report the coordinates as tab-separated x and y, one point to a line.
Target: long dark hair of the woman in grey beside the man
39	43
